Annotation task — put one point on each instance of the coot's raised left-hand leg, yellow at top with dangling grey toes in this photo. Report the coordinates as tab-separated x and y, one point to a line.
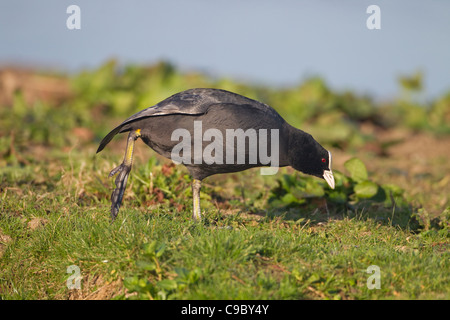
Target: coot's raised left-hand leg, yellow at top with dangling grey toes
123	170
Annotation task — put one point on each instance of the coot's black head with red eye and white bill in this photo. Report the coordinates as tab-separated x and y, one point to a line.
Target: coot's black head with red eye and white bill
308	156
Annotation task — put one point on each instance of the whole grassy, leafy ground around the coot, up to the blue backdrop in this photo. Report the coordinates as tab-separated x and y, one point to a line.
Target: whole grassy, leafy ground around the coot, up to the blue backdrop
286	236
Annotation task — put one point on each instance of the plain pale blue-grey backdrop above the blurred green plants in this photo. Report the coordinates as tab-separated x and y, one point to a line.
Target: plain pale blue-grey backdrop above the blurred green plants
270	42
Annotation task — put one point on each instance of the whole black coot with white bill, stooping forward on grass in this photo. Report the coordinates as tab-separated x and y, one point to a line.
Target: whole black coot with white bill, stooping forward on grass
221	114
